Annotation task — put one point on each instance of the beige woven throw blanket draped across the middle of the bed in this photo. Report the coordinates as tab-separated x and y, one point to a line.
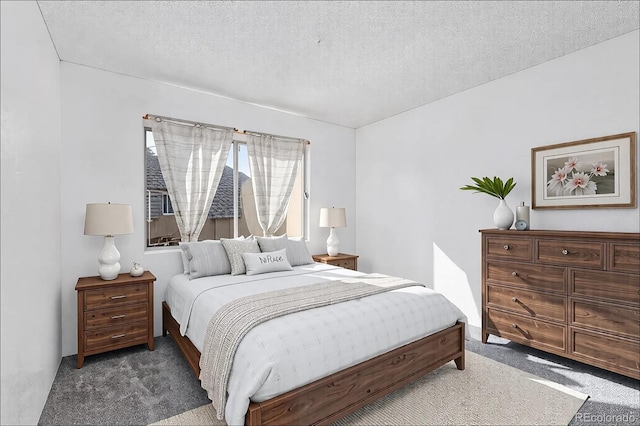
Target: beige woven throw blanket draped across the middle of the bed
234	320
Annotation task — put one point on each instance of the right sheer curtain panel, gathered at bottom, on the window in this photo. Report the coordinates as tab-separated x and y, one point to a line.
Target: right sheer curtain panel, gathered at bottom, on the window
274	163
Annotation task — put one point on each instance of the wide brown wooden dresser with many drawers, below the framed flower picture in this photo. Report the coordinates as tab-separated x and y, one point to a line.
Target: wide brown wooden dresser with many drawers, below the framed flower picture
570	293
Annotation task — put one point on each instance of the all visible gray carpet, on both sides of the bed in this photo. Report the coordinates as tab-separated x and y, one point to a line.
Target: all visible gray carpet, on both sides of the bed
137	387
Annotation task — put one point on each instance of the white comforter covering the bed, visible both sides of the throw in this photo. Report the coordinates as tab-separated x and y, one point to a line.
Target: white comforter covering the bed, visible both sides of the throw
293	350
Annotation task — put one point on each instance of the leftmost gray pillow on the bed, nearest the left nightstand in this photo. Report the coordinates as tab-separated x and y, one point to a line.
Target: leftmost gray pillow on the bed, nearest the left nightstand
206	258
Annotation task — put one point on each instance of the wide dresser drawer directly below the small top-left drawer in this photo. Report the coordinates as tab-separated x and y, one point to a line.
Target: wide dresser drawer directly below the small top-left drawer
527	276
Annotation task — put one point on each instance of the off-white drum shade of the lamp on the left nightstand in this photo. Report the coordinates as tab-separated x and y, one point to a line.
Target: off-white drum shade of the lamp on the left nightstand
108	219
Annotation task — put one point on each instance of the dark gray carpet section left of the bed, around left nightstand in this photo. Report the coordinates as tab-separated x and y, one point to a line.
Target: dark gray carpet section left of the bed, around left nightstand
131	386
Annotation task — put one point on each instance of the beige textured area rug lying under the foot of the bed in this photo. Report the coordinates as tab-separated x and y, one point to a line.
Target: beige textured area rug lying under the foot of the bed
485	393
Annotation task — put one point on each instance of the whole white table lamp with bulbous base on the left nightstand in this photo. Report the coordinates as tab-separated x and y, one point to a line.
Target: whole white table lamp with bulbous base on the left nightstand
108	220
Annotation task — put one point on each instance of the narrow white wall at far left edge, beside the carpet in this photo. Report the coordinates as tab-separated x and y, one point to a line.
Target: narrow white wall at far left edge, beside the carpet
30	253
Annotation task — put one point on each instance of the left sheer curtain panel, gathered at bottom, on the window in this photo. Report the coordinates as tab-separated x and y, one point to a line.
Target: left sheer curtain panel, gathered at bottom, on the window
192	159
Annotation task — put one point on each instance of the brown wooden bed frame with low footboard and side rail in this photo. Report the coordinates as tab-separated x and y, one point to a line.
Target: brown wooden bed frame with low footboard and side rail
333	397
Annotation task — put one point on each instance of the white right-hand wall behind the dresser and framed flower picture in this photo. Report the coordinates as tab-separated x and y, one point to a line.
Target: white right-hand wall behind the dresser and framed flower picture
412	219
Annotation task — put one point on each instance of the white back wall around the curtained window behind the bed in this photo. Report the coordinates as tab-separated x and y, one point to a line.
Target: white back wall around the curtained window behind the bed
103	160
